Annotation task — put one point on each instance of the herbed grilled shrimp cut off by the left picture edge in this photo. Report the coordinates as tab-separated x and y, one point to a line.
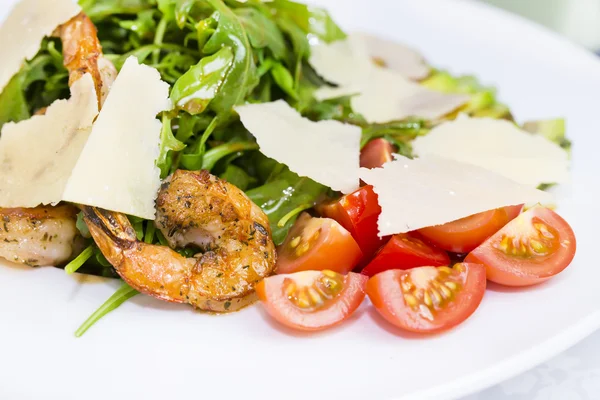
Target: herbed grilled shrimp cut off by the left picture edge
39	236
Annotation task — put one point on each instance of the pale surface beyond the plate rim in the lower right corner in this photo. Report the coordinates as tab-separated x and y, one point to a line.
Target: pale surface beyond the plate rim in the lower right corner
572	375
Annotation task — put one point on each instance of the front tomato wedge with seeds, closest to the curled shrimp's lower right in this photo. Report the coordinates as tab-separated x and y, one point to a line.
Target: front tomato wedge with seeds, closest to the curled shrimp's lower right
312	300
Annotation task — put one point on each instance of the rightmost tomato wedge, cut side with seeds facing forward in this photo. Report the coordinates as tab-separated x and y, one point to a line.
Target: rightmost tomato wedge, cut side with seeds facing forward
533	247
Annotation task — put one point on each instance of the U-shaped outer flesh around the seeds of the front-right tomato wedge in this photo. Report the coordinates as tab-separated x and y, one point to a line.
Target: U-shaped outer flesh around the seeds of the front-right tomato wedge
385	292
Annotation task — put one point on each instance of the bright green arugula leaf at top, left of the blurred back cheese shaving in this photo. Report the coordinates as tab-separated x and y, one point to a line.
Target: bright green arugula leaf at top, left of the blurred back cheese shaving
262	31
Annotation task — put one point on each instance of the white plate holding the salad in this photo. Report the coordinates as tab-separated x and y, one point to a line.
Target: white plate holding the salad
149	349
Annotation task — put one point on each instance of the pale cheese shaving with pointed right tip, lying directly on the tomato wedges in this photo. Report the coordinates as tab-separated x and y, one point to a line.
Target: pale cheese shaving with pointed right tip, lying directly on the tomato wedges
430	191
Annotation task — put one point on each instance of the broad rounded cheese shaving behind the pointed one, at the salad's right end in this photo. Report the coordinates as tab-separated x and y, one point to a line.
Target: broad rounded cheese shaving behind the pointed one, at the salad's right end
498	146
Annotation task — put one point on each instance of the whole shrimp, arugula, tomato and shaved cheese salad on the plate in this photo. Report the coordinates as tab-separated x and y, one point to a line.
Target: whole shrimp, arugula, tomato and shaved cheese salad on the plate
294	163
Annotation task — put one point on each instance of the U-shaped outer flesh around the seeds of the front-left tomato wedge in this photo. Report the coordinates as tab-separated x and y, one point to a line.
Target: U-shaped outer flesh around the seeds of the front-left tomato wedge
271	292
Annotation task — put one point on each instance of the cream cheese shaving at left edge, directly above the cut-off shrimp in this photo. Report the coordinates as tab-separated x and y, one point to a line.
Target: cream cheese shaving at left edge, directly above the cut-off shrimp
38	155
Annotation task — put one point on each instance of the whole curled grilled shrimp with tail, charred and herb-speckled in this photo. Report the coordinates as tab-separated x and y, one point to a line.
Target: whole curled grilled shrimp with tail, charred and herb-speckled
193	208
